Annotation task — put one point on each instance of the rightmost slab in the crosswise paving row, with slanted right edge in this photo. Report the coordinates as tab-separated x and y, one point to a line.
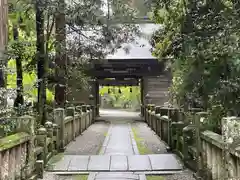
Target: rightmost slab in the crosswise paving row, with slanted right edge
165	162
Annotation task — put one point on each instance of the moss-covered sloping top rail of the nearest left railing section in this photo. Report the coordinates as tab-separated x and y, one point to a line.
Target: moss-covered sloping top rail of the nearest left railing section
13	140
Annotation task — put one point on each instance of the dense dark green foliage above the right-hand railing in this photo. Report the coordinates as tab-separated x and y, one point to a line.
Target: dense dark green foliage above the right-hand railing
201	40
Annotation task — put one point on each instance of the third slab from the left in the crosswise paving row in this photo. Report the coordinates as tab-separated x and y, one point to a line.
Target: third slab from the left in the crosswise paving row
99	163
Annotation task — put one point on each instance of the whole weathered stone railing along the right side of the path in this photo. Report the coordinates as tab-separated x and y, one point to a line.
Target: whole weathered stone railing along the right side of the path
211	155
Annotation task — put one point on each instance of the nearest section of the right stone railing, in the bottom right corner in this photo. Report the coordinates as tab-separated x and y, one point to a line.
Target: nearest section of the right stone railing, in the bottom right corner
219	160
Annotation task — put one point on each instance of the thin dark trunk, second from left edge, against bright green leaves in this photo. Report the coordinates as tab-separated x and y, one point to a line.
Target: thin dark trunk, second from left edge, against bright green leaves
19	99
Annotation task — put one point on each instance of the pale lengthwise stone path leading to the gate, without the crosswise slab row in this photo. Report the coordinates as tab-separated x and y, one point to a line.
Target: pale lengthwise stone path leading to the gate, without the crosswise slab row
119	141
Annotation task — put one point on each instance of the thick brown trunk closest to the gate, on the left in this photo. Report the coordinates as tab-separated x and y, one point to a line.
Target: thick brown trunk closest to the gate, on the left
61	58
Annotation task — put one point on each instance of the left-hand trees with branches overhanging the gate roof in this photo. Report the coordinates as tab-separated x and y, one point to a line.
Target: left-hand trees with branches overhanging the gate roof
52	42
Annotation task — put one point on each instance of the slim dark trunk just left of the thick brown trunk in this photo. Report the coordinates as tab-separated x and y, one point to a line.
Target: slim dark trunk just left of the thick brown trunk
40	45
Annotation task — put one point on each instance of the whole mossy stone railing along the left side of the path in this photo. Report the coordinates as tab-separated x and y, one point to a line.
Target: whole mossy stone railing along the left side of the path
24	154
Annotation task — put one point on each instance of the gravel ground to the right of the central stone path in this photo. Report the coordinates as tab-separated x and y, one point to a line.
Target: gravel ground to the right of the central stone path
152	142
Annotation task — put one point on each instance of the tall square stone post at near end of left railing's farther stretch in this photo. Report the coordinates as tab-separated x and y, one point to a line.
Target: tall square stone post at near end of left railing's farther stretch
59	115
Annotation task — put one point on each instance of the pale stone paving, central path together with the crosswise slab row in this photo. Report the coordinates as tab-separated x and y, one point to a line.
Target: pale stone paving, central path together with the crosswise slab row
118	153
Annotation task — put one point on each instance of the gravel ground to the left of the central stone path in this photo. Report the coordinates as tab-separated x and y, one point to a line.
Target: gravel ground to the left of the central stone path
89	143
